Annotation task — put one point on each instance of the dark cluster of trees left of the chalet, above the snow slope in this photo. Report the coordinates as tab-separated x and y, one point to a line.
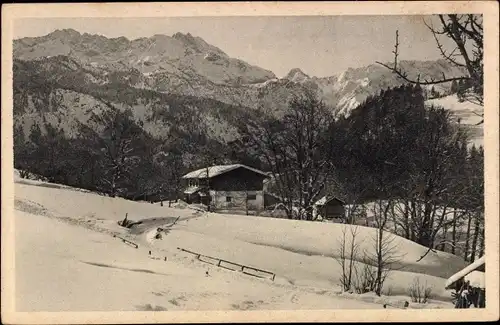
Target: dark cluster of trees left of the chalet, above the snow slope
104	156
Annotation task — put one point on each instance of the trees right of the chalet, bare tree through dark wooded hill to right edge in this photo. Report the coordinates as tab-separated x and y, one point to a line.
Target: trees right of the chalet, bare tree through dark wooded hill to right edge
392	150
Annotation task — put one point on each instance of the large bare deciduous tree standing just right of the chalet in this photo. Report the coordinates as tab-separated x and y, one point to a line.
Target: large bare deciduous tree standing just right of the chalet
298	150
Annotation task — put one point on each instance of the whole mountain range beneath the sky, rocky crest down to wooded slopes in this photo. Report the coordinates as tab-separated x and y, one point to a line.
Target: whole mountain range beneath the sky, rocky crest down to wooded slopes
66	74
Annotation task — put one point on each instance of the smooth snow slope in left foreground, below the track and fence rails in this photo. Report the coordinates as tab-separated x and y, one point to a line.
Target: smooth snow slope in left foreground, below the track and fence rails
62	267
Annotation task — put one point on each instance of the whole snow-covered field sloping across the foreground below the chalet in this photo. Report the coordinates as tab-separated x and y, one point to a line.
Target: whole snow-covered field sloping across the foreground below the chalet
68	260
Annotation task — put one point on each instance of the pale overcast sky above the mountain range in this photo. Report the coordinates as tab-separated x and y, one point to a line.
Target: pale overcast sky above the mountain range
319	45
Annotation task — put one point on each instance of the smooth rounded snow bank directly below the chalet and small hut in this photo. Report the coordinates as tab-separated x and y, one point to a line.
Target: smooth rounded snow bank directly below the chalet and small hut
321	239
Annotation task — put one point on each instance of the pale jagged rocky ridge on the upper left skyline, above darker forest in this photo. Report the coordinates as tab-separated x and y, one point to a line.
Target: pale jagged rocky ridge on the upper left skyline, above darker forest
181	55
